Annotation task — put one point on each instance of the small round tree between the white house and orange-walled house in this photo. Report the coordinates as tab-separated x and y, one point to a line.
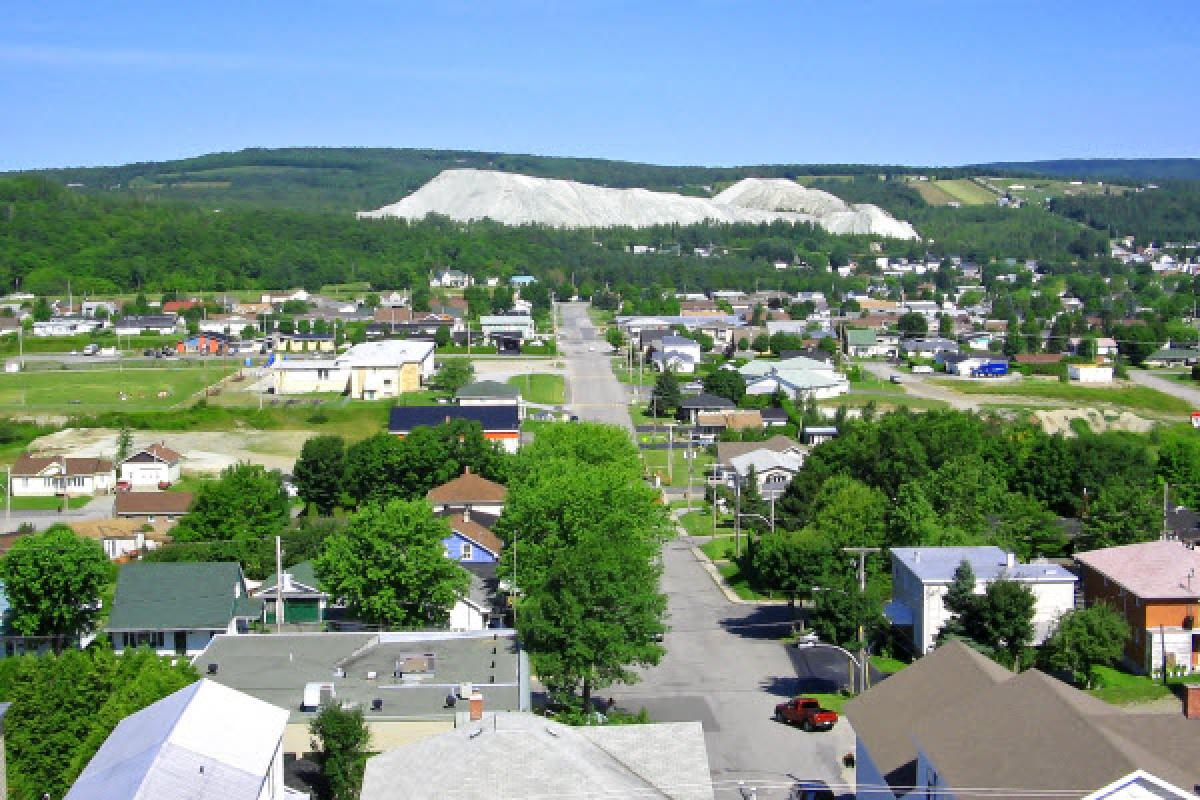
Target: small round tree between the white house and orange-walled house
1084	640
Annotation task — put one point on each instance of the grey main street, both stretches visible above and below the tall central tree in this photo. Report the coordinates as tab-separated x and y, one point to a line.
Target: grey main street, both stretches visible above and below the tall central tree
724	665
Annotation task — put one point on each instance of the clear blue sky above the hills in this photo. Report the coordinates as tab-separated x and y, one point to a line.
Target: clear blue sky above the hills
917	82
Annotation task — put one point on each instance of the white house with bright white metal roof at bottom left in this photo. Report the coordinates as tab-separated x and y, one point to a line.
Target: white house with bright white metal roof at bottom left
207	742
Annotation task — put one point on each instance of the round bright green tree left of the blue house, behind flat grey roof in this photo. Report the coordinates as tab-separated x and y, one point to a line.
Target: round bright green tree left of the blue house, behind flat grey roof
389	566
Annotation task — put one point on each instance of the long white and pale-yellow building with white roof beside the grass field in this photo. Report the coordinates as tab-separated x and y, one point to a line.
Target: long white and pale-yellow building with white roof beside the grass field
368	371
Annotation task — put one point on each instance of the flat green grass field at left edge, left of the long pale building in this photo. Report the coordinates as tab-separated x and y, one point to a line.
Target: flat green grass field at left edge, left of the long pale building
91	392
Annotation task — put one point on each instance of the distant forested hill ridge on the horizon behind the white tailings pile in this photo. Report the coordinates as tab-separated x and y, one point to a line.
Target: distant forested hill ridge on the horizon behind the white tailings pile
352	179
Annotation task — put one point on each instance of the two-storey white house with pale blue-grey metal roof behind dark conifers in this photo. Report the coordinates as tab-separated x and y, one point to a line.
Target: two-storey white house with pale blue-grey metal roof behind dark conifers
921	578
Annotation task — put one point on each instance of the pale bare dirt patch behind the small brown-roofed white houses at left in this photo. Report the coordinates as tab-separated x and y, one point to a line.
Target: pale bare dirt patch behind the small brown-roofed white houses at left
205	453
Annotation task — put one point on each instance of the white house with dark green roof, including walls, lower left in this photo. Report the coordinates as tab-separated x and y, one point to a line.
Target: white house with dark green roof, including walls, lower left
177	609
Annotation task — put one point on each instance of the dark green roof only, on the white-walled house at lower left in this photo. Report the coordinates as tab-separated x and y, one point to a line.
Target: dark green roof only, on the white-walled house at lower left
179	597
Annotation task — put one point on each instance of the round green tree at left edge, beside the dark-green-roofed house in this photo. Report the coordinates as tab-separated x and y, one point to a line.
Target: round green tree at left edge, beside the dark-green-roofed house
53	581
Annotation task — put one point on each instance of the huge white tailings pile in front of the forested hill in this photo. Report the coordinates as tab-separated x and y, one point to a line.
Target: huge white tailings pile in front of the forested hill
513	200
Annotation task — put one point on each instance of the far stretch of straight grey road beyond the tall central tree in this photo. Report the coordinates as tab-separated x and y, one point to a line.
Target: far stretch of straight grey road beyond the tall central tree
592	390
